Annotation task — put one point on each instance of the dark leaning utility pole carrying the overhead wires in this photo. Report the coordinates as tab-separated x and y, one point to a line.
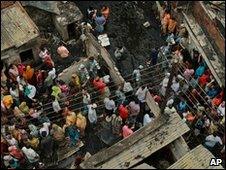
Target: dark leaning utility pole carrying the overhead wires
168	88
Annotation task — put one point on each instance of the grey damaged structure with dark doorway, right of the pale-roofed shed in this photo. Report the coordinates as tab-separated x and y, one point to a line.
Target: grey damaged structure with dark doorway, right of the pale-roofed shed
63	15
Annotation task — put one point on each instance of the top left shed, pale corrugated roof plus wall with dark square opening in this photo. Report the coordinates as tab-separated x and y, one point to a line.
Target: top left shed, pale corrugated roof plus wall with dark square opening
19	35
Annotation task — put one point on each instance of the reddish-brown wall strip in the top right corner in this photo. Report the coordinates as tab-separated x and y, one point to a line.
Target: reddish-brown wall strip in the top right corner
208	25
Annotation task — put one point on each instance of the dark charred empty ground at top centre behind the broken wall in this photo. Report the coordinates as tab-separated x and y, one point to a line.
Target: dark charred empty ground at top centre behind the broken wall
125	27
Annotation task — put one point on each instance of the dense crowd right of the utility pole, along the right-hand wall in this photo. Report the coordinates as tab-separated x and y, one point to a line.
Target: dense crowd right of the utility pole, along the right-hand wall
195	94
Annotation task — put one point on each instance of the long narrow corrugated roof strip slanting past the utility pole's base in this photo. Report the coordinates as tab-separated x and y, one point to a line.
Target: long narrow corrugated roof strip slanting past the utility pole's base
140	145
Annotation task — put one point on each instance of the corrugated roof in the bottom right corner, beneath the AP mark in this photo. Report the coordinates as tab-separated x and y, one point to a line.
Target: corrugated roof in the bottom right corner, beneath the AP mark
198	158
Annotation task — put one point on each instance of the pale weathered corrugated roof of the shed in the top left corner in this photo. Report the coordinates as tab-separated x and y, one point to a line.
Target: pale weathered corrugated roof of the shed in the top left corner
17	28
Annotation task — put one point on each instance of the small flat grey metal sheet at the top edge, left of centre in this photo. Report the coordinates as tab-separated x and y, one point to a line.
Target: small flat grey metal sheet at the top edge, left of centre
49	6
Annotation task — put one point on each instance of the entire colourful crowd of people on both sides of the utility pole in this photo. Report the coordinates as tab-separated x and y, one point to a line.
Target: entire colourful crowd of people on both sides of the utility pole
30	135
